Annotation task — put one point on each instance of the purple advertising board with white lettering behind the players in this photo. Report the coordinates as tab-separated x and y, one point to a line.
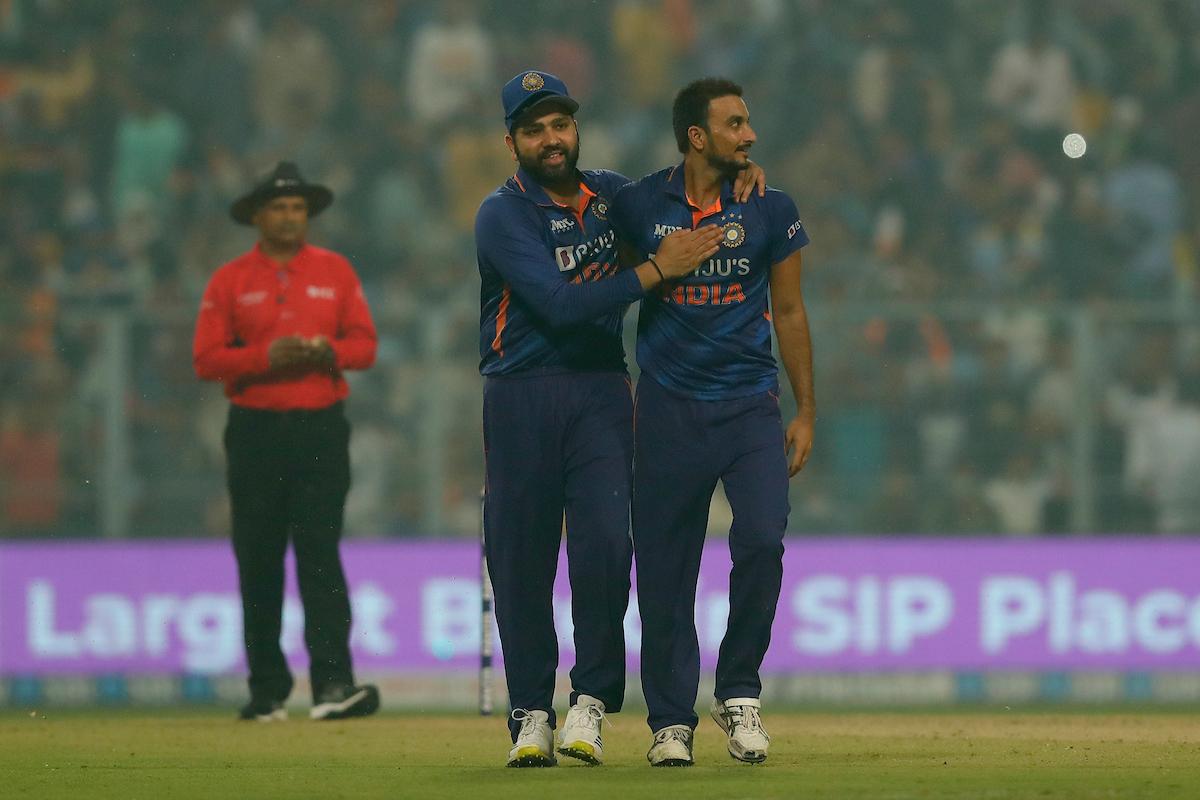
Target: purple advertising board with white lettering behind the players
847	605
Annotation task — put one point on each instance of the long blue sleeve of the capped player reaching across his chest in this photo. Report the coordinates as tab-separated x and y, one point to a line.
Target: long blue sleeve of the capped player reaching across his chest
508	242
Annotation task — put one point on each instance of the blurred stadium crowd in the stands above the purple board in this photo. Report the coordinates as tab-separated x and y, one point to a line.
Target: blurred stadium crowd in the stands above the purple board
1005	336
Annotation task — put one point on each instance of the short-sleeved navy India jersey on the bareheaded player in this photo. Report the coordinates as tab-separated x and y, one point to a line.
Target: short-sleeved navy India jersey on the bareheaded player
709	336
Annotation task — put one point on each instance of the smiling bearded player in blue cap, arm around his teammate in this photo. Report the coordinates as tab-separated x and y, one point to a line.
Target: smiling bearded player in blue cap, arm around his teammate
559	414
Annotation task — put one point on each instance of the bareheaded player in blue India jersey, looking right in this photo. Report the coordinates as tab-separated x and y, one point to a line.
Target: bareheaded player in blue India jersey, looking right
709	411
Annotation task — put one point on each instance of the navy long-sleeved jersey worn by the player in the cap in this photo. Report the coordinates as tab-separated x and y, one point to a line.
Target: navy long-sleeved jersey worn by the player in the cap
541	310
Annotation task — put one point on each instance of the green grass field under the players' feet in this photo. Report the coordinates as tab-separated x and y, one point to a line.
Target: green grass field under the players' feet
844	754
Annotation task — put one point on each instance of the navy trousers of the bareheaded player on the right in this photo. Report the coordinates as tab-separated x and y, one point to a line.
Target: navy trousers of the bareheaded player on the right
683	449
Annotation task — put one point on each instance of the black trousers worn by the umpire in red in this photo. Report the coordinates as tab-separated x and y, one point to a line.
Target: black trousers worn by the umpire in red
289	476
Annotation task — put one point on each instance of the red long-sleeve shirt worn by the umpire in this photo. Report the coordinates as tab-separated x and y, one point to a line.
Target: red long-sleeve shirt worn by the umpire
253	300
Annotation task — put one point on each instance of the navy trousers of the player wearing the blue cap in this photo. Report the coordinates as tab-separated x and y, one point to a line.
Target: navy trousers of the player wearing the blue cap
559	444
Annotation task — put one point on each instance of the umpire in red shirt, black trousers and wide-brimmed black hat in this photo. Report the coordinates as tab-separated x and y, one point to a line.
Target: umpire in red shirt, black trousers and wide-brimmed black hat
278	327
